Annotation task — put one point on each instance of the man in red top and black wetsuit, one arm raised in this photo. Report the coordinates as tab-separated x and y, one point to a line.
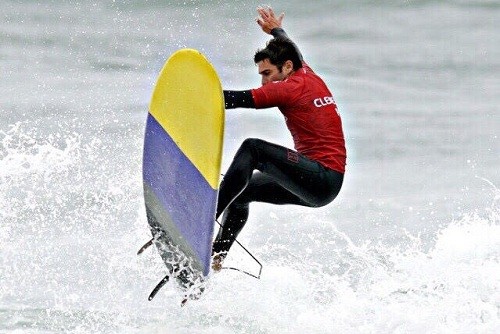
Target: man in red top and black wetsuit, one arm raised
312	174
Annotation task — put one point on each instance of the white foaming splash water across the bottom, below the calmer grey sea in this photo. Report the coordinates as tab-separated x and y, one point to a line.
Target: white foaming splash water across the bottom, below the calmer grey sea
69	267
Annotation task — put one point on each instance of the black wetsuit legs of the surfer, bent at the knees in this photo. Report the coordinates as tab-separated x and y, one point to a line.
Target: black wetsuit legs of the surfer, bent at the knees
283	177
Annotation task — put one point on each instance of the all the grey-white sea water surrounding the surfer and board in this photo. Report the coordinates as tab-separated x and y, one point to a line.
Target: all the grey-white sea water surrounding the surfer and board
411	245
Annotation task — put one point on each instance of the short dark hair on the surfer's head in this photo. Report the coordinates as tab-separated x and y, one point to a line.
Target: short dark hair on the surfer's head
278	51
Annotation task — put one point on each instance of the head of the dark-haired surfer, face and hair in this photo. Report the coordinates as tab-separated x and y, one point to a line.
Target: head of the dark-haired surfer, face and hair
278	60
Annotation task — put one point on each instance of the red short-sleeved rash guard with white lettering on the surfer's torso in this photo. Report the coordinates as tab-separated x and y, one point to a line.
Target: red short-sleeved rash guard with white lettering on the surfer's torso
311	116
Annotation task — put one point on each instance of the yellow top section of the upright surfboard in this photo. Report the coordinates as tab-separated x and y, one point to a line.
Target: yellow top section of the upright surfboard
190	95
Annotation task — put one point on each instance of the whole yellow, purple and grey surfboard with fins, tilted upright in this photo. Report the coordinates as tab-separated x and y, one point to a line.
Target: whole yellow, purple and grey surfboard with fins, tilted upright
181	166
